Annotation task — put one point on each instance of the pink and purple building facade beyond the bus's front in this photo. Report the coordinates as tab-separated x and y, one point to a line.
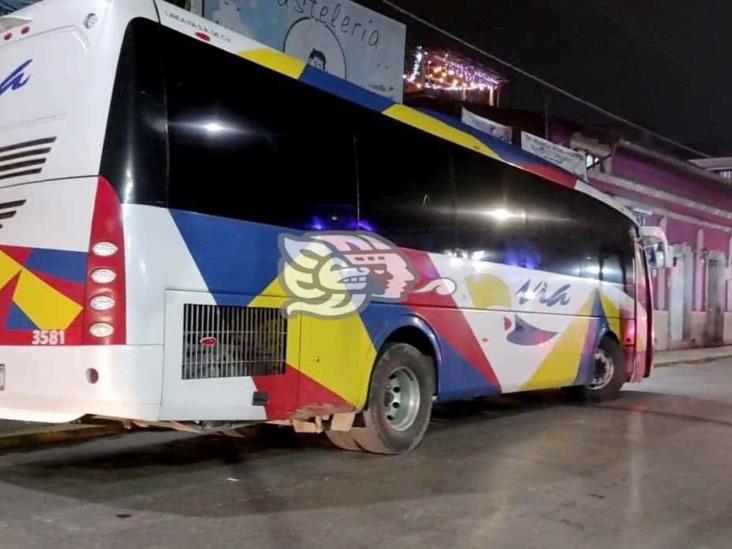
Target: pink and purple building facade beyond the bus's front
693	299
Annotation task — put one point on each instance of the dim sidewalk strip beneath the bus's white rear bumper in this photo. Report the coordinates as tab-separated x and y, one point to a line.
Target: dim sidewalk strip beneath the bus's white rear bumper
17	434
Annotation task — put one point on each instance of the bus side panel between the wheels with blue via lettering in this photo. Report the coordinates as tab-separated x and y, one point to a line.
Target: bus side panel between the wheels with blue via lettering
518	329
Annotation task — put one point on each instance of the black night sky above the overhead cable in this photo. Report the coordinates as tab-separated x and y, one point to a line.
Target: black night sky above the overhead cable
663	64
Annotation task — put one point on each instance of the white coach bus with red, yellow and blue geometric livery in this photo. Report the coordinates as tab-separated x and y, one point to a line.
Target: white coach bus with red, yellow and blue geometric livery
200	232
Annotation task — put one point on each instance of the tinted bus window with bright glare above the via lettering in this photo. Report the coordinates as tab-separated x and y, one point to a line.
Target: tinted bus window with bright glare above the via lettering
510	216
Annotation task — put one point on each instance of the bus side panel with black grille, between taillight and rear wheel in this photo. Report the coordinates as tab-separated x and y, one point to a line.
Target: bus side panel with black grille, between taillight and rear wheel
221	263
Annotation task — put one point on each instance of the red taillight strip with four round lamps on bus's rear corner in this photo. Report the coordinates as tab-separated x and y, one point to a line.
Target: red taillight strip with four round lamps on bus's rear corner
104	307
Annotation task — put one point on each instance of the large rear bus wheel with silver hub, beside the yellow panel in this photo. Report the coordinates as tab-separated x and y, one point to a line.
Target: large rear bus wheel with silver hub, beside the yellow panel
399	403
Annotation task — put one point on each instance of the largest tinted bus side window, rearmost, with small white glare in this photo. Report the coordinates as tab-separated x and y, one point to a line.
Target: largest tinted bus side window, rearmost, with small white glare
248	143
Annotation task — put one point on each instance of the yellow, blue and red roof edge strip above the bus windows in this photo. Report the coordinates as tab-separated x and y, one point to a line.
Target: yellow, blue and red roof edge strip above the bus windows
437	124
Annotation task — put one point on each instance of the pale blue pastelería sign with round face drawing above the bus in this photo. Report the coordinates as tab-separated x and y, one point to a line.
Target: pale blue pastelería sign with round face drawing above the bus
338	36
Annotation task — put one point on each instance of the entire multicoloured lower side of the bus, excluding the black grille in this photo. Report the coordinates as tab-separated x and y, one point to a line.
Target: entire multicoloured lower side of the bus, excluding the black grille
503	328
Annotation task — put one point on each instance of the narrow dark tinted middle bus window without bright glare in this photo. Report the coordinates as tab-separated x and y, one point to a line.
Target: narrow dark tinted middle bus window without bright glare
405	185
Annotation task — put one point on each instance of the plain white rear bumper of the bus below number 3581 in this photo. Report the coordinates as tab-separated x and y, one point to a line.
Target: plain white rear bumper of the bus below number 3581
60	384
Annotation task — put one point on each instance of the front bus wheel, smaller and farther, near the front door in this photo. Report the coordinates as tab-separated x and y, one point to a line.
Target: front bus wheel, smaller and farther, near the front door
604	385
